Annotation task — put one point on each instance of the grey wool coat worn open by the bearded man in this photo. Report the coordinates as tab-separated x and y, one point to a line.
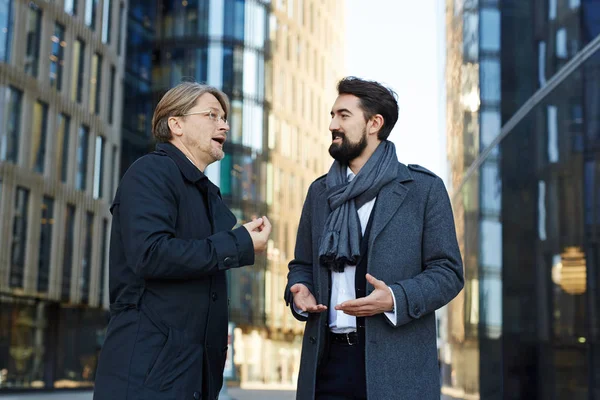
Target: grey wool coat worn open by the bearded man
413	249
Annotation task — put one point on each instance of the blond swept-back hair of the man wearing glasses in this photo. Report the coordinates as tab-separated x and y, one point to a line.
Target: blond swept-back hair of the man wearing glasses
178	101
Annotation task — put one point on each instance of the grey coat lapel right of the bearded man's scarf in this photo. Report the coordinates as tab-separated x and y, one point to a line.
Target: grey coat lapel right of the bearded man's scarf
388	201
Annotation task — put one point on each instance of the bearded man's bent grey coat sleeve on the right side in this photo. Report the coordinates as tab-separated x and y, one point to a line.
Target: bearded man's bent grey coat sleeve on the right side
442	276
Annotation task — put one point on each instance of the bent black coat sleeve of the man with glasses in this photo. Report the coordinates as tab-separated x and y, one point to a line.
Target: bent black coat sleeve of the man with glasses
148	212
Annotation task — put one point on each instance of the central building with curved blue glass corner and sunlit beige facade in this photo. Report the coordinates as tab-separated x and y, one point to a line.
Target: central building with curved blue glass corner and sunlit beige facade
278	61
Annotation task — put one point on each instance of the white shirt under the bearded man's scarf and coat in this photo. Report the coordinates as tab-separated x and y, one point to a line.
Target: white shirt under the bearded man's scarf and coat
343	287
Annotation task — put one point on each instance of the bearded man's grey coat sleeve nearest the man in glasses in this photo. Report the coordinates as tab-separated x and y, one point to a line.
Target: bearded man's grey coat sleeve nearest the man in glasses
301	267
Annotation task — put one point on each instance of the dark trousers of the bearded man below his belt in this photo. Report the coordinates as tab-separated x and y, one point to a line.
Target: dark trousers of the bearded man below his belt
341	376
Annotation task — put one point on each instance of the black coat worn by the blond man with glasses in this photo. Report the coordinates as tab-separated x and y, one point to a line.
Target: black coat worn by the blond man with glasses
171	243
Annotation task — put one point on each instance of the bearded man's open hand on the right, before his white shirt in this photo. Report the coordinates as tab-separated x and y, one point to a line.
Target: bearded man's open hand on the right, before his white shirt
379	301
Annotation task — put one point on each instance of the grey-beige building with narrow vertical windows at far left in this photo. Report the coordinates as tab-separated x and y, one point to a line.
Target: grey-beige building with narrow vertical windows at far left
60	118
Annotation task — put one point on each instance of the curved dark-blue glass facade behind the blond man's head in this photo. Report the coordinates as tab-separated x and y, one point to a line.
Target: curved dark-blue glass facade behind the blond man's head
225	44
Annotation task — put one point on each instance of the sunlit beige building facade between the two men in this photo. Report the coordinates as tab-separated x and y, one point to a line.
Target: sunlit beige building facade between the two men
307	49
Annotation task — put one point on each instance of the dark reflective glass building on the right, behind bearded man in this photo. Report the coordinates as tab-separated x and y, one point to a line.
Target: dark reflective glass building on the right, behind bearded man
523	81
